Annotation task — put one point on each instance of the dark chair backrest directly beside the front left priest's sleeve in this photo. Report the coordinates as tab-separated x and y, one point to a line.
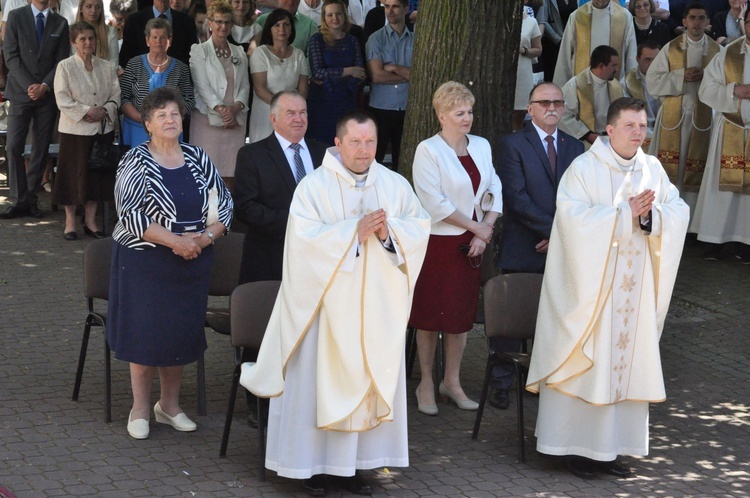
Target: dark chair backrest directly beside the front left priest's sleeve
250	309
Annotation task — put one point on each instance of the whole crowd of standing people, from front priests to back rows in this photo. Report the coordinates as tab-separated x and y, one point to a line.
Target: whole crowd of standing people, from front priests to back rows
300	165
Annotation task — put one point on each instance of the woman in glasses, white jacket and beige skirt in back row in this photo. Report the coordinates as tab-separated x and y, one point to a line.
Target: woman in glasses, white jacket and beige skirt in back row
222	89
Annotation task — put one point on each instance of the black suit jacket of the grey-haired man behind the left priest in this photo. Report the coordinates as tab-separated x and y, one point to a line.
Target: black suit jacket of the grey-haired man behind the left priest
263	190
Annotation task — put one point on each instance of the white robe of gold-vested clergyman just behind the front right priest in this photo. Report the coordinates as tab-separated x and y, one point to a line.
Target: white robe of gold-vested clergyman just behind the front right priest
663	82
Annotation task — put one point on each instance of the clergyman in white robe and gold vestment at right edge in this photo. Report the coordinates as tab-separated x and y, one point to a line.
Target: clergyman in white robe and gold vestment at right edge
721	213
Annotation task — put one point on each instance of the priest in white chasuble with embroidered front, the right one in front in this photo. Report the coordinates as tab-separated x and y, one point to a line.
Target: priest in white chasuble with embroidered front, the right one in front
612	261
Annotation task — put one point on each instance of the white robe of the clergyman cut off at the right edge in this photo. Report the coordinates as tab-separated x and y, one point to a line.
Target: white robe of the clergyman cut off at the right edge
722	216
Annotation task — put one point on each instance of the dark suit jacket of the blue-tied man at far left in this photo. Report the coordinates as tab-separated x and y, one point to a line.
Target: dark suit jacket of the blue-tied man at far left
27	64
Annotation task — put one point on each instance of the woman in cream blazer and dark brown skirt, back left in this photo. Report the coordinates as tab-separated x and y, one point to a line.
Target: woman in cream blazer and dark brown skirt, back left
87	92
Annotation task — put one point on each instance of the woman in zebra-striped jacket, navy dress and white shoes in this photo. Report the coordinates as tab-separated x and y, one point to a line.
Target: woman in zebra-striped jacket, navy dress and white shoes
172	205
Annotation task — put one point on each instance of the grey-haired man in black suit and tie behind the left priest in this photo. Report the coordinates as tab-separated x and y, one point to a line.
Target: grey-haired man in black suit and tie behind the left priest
266	175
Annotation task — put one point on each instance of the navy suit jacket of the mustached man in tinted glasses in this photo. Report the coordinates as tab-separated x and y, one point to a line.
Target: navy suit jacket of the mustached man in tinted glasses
529	194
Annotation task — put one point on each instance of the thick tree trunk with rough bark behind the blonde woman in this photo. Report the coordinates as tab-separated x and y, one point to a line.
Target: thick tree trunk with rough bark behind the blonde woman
474	42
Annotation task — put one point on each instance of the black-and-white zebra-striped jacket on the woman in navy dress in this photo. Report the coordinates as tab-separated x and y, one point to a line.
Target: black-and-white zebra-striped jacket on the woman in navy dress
141	198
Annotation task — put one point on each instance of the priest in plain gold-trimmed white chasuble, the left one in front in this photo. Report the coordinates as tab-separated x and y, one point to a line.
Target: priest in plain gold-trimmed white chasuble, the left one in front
332	359
